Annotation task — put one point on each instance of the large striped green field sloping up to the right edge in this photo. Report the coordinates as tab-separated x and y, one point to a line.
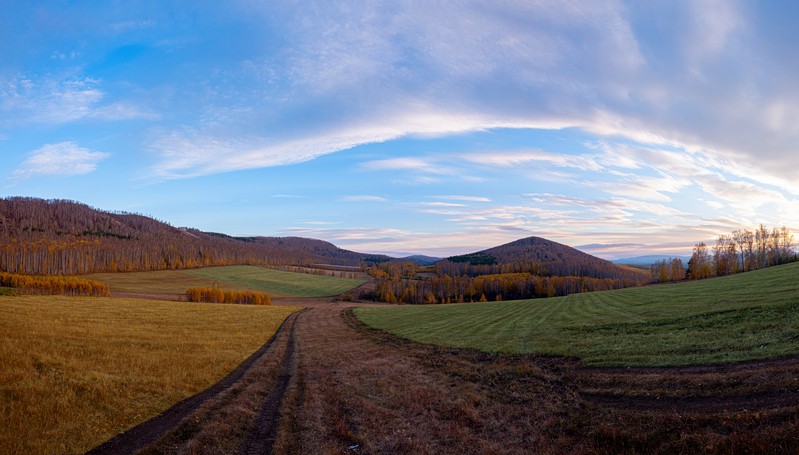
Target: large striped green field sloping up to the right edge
752	315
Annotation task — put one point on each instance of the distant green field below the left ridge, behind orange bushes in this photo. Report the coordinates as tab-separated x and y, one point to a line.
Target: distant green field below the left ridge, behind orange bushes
234	278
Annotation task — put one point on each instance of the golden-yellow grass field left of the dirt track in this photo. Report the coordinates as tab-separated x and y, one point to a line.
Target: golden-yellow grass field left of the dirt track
75	371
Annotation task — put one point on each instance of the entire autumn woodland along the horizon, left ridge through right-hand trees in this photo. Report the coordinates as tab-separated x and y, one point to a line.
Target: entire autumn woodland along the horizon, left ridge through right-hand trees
56	237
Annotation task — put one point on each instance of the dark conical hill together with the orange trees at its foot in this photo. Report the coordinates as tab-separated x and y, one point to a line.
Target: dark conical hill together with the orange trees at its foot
528	268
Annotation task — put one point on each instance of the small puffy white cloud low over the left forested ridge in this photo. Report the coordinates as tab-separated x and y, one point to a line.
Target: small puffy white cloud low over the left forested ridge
65	158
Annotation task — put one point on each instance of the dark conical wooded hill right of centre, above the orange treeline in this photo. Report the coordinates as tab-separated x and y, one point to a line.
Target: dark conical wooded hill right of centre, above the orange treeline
541	257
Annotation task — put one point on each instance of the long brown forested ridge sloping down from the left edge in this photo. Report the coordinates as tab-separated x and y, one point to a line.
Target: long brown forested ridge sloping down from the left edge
56	237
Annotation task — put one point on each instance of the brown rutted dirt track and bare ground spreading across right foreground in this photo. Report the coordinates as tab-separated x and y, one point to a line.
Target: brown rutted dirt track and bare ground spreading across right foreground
327	384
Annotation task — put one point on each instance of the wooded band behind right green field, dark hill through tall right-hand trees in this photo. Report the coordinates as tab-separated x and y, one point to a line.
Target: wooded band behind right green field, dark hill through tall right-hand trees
535	267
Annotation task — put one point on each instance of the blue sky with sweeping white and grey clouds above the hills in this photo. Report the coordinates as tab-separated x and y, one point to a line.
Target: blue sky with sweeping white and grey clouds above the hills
411	127
